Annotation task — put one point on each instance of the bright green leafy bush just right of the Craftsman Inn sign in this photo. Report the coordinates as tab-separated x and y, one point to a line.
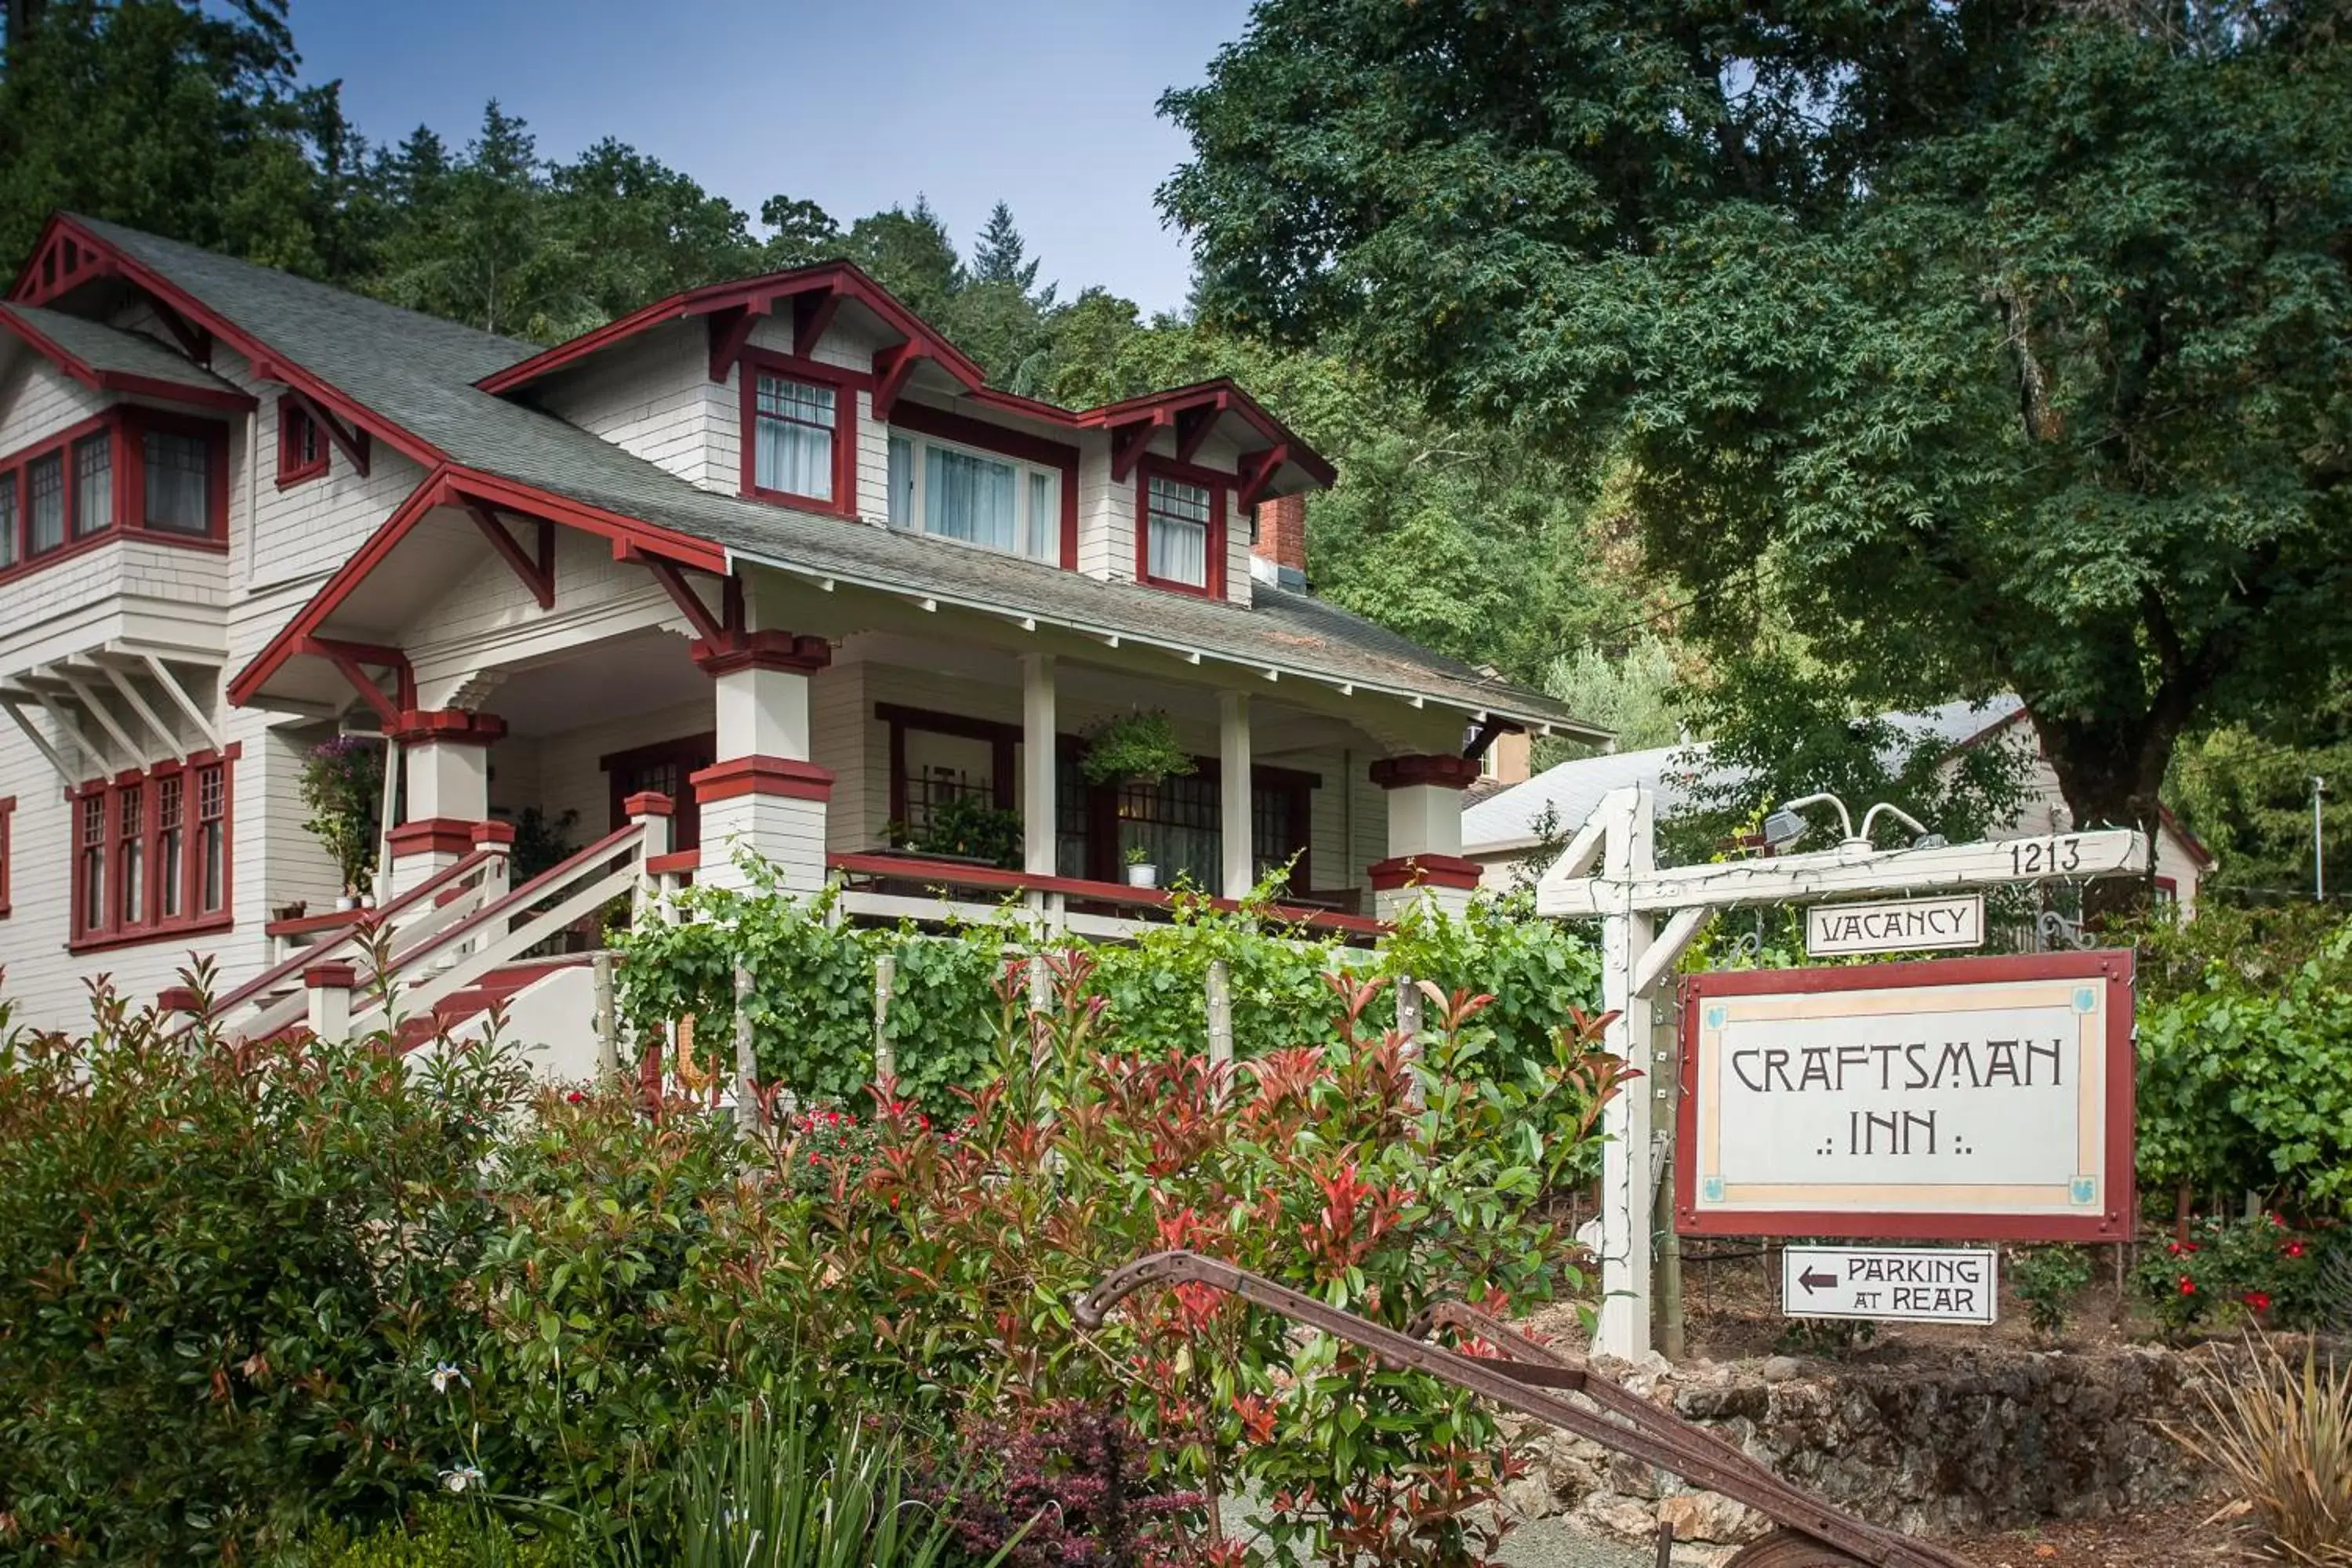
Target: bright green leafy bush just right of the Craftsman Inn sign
2247	1080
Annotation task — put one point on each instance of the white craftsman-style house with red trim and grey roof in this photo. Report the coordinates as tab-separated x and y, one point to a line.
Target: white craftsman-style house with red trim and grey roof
761	568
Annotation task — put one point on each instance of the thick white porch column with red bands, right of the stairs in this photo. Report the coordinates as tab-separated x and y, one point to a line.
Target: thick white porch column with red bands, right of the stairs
763	793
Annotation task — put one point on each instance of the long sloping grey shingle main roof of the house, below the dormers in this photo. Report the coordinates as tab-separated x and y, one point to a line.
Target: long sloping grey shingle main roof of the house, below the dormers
417	373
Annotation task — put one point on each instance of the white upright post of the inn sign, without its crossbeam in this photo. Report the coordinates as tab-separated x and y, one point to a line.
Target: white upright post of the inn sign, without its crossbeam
1626	1158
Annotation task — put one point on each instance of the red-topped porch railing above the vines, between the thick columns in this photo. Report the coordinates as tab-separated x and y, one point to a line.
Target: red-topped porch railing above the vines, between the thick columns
1067	904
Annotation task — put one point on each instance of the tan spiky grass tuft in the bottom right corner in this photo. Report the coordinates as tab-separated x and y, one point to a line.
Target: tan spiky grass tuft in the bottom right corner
2285	1442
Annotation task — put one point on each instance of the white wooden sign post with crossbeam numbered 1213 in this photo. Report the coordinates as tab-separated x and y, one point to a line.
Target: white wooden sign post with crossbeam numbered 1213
1610	871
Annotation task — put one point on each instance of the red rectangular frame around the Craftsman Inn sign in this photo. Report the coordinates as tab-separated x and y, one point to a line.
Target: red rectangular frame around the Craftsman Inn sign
2113	1221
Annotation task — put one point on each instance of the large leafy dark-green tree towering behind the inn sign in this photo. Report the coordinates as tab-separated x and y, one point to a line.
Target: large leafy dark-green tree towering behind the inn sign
1977	349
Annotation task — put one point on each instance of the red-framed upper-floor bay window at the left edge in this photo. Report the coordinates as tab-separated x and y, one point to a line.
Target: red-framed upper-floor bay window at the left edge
128	471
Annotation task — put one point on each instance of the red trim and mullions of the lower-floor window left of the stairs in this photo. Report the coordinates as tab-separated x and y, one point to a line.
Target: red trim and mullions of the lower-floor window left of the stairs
114	930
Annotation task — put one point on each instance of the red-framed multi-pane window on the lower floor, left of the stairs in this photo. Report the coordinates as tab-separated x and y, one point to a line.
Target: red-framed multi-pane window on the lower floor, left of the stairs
142	866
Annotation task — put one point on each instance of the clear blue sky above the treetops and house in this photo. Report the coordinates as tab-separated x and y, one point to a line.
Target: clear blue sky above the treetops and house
1048	105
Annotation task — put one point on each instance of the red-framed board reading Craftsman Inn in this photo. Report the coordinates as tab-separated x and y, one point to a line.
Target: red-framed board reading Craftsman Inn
1951	1099
